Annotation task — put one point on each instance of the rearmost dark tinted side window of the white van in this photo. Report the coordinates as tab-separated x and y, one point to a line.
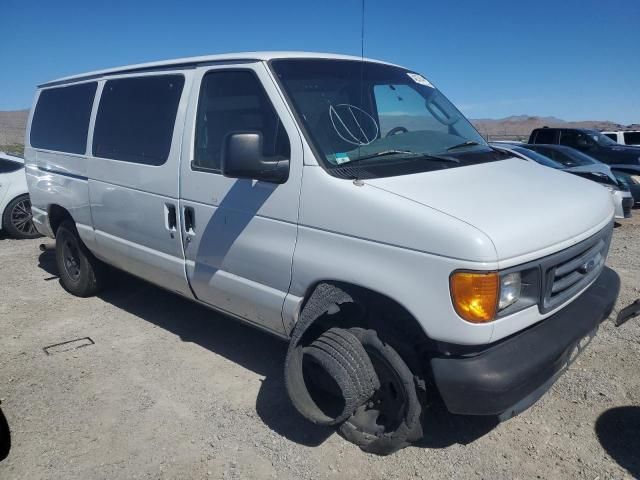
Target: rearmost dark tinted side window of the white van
61	118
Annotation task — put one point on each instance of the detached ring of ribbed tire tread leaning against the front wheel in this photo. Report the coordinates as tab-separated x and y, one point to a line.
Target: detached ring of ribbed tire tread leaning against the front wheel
330	378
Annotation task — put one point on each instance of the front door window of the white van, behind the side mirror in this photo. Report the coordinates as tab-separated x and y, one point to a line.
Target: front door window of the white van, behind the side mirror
230	102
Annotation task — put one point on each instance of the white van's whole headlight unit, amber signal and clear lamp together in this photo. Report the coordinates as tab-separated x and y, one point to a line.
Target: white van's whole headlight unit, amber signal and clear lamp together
481	297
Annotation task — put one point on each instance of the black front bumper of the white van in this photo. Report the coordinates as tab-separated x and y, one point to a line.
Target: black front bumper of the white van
509	376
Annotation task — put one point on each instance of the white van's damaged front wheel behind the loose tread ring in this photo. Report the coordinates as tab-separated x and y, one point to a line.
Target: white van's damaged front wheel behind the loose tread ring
391	420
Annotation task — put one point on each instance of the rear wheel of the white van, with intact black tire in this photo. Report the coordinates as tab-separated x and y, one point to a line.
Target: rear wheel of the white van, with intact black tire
81	274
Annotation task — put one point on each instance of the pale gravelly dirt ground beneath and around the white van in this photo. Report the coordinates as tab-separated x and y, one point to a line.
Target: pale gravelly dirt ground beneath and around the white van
170	389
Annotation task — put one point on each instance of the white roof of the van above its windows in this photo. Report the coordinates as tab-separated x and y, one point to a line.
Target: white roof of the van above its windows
205	59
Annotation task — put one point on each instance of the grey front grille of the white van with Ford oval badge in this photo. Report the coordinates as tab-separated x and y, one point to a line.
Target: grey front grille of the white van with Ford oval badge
568	272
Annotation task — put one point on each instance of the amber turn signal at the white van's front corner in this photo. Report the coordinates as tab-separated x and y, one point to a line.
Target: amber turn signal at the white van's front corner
475	295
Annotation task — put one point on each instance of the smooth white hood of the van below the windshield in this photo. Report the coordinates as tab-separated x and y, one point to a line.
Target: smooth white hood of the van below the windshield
526	209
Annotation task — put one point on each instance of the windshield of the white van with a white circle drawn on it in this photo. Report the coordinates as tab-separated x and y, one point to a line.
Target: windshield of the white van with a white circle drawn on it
364	113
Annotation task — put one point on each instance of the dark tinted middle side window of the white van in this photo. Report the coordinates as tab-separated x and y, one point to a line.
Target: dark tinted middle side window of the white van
136	117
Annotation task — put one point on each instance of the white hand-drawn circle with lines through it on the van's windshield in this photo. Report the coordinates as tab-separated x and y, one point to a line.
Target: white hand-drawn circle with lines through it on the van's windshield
353	125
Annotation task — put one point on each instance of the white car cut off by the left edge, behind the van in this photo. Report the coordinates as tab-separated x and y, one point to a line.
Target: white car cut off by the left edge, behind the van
15	207
